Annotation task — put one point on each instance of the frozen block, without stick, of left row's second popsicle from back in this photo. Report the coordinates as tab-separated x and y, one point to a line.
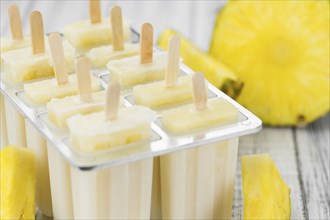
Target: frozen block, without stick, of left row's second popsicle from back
21	65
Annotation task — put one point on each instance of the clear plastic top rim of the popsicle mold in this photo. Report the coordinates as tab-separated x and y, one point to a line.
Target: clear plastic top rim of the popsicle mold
162	141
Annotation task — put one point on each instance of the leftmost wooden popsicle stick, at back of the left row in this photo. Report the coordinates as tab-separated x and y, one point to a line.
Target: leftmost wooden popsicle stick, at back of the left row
15	22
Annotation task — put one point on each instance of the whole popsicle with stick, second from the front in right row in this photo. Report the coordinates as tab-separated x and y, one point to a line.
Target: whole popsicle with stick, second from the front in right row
170	91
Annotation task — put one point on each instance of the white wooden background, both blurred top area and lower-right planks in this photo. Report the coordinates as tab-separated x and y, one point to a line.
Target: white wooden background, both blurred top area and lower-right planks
301	154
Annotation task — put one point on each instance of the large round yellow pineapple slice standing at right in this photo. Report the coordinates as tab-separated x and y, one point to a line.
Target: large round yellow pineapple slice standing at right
280	50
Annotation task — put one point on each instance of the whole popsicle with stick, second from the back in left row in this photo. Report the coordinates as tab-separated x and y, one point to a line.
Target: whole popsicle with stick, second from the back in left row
32	63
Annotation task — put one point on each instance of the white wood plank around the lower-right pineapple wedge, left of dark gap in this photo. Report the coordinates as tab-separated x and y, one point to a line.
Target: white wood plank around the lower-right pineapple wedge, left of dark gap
279	143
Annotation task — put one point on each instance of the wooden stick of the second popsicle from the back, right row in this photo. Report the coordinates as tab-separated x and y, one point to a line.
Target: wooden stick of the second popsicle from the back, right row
117	28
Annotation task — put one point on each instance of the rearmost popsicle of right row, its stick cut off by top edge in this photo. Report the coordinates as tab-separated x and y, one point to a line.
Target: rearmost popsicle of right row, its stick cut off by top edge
93	32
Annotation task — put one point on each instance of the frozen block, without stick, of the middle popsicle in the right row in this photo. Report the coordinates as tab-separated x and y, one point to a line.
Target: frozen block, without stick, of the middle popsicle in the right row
129	71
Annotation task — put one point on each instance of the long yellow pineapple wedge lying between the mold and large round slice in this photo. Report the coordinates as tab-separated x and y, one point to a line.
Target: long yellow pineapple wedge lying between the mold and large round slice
215	72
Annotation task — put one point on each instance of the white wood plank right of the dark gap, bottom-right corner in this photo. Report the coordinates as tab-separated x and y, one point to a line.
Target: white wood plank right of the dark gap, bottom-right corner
314	161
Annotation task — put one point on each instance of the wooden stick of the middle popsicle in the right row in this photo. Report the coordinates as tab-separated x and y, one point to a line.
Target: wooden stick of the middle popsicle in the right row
146	43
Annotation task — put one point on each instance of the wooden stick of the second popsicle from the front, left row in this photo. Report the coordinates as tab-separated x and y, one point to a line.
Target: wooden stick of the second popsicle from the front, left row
84	79
